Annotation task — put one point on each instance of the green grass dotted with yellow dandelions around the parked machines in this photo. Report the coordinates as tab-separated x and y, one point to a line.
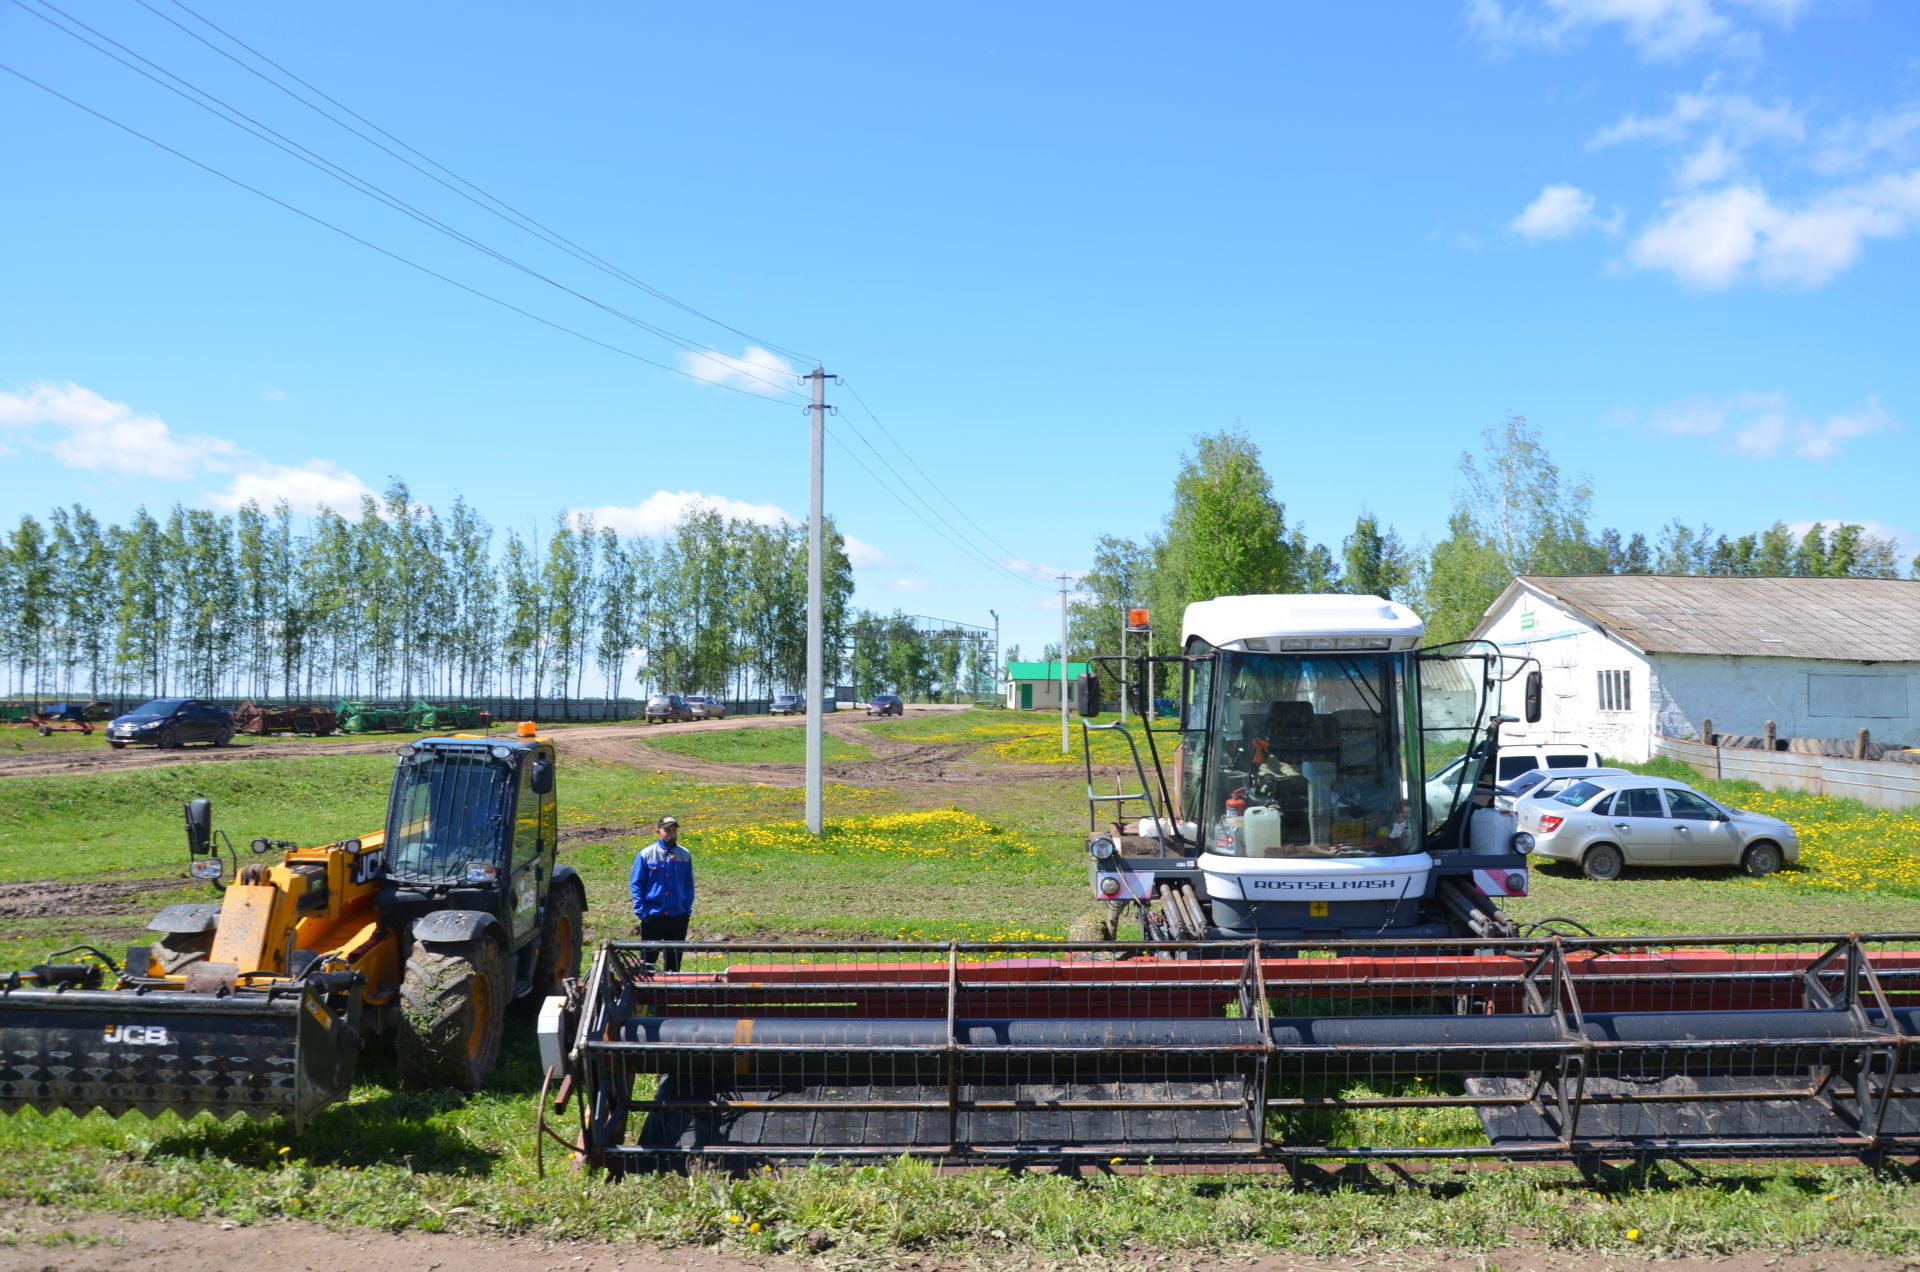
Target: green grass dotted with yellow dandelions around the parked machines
988	860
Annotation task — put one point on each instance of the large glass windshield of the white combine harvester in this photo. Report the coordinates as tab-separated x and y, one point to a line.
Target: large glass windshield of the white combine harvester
1305	756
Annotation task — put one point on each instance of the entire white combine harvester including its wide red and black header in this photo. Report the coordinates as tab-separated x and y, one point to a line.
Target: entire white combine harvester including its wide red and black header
1324	971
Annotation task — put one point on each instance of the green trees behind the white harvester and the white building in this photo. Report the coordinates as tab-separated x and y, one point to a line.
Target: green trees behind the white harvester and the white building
1516	514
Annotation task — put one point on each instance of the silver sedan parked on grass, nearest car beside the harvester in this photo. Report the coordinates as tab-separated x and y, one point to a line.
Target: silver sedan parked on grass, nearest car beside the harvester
1610	823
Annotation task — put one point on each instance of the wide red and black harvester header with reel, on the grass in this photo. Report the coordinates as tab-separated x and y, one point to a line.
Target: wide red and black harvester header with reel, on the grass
1249	1054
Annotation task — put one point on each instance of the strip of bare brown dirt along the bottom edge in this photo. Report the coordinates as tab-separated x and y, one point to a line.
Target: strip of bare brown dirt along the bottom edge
41	1240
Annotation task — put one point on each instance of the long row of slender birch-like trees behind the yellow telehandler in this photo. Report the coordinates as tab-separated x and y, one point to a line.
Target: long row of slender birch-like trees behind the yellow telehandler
406	600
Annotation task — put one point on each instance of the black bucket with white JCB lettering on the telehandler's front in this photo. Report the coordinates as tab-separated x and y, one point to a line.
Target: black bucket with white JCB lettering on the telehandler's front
283	1052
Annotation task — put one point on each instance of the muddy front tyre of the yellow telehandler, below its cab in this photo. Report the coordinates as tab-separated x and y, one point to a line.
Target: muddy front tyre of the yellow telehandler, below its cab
452	1015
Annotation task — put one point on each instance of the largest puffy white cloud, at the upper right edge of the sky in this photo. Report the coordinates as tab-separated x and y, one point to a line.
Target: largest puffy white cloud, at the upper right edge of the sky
1723	237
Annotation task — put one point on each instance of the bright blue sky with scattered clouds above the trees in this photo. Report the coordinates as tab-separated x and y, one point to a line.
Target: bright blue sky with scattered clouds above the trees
1042	243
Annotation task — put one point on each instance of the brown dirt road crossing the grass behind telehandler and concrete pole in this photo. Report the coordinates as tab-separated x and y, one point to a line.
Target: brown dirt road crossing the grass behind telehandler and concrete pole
617	743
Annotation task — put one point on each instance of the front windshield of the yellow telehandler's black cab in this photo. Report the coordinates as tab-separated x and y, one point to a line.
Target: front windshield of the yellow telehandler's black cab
448	810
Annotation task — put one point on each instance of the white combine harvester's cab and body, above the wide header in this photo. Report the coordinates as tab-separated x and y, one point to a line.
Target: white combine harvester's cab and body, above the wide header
1332	779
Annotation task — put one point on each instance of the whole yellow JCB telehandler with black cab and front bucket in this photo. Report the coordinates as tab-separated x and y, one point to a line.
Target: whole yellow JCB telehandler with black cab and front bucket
260	1004
